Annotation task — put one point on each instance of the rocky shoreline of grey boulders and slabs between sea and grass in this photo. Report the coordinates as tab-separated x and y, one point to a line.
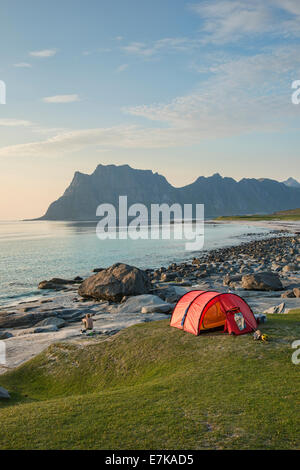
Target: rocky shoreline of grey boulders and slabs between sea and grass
265	272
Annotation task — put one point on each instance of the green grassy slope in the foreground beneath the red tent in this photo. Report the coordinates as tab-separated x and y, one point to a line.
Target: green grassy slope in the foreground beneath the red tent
156	387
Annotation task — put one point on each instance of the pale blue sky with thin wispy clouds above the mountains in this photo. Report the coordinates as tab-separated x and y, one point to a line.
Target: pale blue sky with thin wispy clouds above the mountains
183	88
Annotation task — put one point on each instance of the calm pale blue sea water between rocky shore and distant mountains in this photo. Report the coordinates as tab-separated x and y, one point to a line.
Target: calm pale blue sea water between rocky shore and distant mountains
33	251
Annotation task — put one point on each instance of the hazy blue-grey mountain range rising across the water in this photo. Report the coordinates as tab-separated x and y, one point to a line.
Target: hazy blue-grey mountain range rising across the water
221	196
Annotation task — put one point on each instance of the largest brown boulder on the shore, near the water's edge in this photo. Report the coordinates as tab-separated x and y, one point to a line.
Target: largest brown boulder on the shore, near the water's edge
115	282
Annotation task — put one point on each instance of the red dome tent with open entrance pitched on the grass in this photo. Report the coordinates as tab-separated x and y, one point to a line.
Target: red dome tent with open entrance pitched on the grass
203	310
